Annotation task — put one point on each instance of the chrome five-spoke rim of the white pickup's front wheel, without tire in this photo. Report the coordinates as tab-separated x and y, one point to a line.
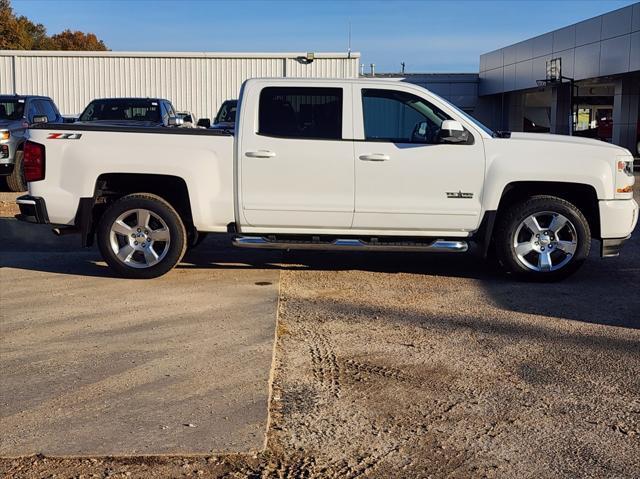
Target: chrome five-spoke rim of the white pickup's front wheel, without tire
545	241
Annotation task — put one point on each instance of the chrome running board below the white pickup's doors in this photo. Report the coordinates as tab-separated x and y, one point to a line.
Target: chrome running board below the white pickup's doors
434	246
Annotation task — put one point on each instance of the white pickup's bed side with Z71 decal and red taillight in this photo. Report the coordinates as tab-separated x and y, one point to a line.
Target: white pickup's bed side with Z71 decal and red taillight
78	157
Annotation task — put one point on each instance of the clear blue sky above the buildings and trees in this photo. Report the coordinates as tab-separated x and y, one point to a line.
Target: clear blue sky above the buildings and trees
429	36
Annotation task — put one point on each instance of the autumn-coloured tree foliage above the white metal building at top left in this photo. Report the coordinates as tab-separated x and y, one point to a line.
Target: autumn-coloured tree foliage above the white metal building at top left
20	33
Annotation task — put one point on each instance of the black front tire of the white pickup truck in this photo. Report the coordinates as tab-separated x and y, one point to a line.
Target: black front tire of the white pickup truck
576	234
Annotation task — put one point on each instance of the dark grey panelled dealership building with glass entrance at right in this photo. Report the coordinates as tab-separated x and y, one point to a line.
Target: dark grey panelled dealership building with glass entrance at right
598	61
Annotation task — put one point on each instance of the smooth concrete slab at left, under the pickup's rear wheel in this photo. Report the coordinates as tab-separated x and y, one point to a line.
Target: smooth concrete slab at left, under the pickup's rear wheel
96	365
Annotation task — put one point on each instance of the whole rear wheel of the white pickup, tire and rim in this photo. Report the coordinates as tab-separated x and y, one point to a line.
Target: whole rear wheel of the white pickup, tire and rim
141	236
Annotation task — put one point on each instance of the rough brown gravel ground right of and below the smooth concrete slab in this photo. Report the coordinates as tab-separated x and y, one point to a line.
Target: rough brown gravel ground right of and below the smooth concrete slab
432	366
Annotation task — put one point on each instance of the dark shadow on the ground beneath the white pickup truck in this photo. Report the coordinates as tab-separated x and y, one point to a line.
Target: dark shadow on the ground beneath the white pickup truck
602	292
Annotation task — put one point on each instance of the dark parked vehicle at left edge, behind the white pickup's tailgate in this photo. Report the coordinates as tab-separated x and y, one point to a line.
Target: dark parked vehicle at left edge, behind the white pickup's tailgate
17	113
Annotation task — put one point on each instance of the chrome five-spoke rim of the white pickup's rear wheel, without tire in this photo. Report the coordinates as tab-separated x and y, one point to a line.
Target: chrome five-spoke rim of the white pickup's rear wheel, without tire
139	238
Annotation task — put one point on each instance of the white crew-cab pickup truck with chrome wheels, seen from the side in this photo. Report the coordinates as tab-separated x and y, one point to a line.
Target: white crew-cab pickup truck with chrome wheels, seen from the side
333	164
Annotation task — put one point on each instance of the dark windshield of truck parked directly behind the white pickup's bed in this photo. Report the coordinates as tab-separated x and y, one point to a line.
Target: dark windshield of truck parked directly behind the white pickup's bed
132	110
